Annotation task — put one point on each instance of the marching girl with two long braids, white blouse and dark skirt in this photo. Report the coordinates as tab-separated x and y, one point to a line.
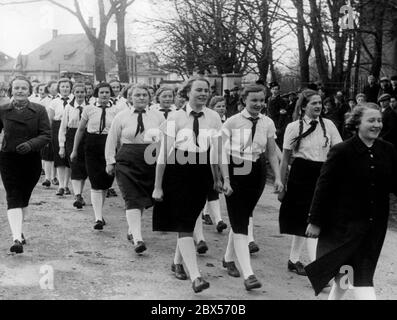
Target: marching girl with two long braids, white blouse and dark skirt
306	143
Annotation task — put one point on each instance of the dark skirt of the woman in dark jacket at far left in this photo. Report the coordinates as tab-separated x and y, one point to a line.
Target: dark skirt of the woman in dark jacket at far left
20	174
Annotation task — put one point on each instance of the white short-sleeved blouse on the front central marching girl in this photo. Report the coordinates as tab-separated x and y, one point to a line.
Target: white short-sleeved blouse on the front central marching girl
179	125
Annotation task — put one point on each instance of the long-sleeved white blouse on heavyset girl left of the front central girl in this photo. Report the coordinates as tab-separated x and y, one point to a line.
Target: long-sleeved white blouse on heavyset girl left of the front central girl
124	127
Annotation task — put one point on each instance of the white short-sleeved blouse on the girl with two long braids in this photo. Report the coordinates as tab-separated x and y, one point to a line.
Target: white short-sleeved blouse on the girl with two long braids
313	146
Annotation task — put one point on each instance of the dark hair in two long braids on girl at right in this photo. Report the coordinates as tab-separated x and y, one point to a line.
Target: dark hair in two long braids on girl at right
304	99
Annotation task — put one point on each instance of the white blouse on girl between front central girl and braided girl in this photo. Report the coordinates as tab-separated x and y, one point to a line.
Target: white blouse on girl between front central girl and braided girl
236	136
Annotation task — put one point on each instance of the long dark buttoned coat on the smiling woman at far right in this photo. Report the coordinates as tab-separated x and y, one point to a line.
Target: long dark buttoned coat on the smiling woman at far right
351	206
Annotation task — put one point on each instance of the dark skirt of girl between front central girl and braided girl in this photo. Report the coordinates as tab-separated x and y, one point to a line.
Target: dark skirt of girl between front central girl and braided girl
247	188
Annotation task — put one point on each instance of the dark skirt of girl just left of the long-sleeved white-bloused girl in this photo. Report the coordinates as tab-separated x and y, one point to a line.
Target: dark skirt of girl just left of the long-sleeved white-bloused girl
95	162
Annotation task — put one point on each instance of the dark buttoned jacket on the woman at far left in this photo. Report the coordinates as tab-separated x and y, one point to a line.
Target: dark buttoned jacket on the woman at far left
29	125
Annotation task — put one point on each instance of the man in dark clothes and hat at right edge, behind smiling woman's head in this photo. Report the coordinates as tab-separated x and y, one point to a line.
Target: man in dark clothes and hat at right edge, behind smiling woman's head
389	118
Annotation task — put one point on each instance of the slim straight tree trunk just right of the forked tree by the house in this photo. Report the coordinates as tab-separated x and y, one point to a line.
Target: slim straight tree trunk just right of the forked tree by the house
121	50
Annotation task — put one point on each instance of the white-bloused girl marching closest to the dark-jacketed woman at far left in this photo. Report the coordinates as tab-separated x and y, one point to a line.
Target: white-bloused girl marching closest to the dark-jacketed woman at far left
56	111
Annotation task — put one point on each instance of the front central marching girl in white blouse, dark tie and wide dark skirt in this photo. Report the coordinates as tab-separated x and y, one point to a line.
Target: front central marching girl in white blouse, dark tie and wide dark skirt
181	187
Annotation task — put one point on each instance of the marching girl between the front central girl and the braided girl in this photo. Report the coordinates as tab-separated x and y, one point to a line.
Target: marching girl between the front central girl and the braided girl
247	135
